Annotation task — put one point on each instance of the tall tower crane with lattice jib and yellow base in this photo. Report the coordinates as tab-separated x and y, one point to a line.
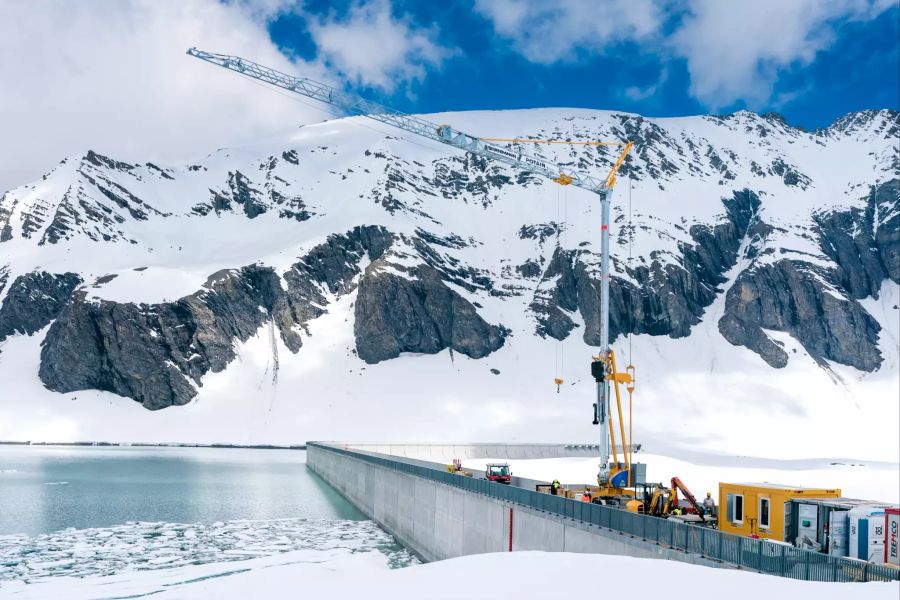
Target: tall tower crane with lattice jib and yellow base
613	476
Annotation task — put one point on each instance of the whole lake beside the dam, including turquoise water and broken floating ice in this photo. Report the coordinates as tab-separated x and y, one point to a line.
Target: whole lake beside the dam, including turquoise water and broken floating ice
80	511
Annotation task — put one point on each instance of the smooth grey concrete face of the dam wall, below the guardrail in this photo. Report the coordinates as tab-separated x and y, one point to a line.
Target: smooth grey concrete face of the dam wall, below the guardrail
438	521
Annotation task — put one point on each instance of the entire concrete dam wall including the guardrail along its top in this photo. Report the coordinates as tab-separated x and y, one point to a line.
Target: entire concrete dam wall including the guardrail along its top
439	515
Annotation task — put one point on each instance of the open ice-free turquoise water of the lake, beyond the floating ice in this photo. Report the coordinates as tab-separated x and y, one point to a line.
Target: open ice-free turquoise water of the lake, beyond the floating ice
49	488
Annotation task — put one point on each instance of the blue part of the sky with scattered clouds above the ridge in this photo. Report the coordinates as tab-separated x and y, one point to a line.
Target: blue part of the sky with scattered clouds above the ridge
843	57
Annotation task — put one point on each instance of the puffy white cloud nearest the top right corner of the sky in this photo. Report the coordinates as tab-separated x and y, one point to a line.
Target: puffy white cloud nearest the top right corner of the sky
737	50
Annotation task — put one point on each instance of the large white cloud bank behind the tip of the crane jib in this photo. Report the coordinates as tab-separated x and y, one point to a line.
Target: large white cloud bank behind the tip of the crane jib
114	77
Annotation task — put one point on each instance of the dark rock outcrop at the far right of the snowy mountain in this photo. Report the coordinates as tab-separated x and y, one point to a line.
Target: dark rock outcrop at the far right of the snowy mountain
817	305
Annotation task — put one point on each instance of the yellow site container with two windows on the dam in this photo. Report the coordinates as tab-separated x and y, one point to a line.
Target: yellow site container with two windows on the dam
758	509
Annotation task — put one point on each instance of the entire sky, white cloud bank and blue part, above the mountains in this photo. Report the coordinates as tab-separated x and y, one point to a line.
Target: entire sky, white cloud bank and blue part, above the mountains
114	77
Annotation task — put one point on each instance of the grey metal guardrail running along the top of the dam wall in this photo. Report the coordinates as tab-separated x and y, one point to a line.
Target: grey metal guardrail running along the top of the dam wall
747	553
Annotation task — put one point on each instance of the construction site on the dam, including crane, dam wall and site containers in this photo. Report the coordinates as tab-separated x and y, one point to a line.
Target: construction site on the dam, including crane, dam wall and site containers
443	501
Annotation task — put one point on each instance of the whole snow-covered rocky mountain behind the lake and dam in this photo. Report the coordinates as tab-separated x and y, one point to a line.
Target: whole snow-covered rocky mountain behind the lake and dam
348	281
